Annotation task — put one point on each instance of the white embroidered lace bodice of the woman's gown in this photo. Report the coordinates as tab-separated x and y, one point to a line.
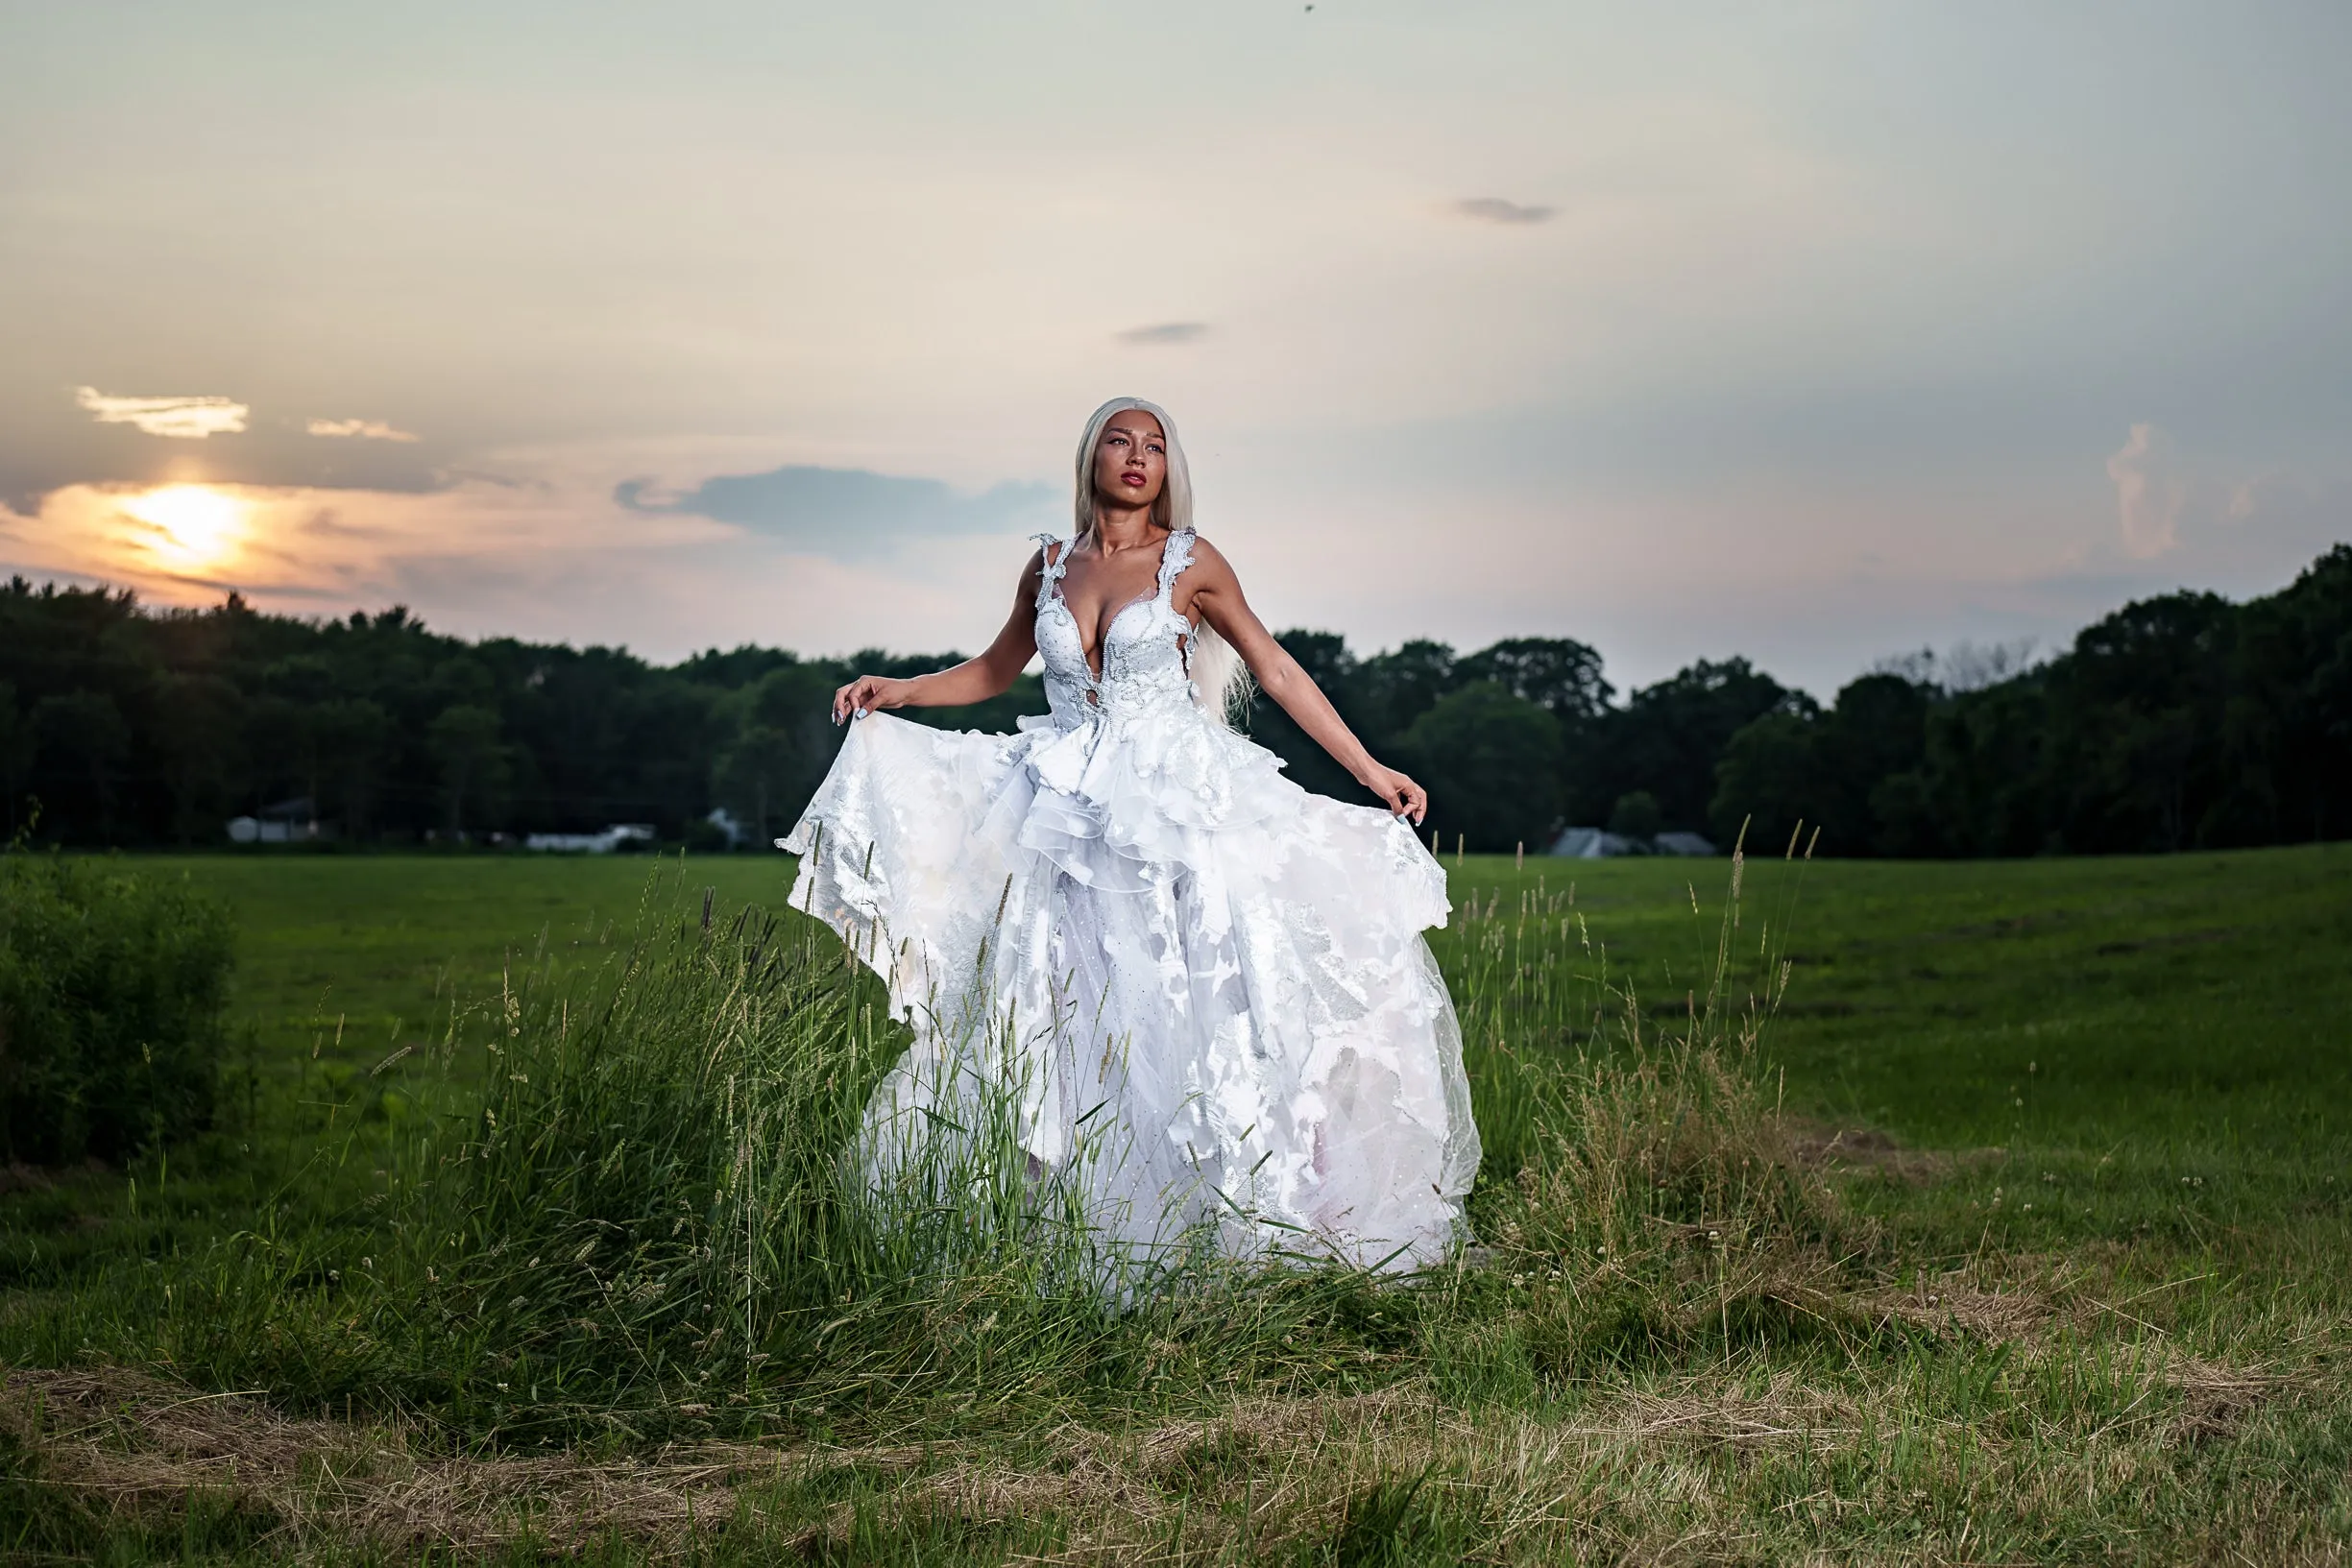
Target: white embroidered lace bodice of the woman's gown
1144	655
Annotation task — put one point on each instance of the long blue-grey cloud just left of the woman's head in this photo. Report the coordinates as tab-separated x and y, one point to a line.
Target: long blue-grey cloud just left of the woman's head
848	514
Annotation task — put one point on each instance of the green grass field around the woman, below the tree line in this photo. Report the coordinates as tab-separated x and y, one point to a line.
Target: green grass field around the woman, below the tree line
2059	1268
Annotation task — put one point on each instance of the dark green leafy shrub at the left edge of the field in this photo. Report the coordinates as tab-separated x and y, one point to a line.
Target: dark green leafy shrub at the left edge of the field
112	1007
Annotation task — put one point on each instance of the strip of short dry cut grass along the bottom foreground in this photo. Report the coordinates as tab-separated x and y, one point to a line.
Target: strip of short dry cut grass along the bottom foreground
1735	1463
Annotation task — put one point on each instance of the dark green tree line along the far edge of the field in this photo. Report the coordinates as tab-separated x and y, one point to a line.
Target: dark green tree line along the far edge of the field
2179	721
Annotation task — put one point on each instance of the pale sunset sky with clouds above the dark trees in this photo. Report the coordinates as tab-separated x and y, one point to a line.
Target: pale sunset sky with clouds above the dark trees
1812	333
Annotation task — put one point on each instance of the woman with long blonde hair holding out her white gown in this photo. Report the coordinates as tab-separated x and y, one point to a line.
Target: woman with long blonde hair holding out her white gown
1198	996
